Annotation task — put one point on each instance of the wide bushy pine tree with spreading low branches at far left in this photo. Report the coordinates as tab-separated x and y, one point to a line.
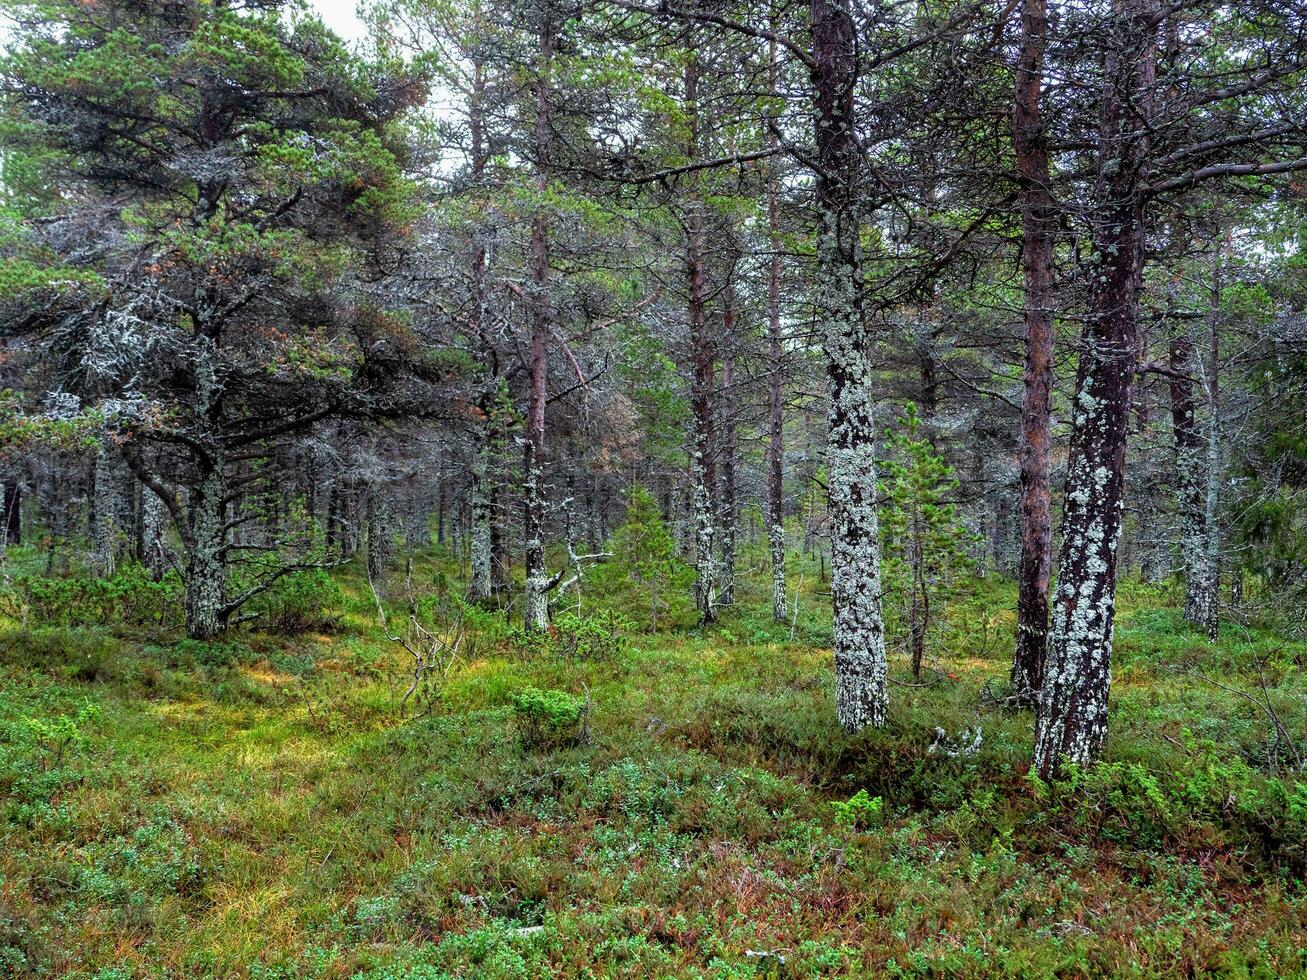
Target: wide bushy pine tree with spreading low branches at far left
224	177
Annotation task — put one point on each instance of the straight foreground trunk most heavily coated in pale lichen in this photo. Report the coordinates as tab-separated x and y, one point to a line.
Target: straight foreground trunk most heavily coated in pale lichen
862	674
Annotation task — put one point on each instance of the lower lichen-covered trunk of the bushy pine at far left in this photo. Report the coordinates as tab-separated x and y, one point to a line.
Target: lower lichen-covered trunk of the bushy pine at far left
206	560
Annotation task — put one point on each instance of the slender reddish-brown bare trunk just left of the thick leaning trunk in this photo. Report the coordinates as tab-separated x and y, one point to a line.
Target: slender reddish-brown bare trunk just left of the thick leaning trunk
1038	225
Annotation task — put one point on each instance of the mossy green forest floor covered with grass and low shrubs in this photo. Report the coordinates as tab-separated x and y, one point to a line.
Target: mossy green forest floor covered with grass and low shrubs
261	808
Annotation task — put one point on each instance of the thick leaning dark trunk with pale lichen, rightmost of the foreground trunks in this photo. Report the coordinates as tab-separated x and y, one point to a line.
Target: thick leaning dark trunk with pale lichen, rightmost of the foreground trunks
1072	723
